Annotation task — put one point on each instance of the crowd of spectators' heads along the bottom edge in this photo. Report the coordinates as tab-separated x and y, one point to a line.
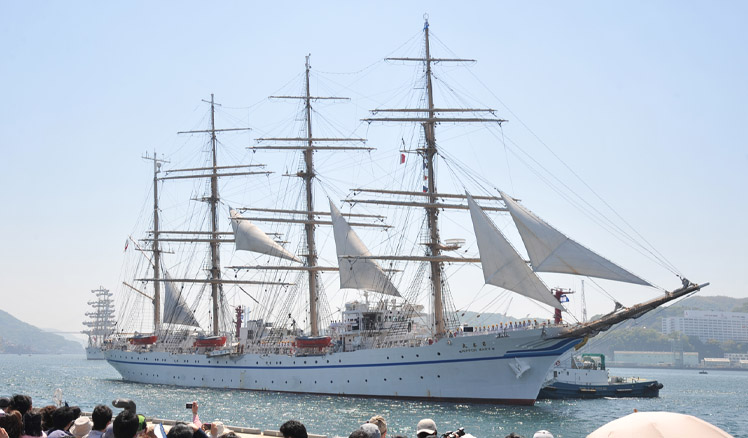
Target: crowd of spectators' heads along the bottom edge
20	419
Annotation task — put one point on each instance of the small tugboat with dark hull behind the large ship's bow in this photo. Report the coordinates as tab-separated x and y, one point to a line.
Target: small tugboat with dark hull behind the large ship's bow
588	378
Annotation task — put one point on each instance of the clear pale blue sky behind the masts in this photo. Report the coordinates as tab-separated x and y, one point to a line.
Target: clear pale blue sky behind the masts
642	102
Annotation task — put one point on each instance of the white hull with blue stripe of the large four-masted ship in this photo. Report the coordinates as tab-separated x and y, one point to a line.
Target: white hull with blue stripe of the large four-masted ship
483	368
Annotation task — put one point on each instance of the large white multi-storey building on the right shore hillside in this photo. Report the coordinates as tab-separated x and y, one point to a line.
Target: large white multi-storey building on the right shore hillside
709	325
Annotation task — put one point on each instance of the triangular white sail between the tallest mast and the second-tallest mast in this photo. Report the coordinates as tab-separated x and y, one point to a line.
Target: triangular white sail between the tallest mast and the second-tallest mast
355	272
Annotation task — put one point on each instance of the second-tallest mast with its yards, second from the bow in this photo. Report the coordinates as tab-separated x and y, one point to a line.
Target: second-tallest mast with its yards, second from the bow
308	175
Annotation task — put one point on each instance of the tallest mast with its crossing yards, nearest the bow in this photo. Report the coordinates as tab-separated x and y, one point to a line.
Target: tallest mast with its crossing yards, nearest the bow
429	154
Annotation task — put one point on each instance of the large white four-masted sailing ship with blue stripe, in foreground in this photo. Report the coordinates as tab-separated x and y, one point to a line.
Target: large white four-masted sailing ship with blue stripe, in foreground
385	342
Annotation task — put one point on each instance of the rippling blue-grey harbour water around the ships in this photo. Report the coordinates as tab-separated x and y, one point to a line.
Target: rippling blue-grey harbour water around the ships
719	397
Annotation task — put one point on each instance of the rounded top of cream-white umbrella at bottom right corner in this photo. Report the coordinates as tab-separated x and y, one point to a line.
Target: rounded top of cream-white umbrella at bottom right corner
659	425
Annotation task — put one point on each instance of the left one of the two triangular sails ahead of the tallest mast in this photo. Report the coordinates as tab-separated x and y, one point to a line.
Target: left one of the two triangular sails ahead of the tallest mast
502	266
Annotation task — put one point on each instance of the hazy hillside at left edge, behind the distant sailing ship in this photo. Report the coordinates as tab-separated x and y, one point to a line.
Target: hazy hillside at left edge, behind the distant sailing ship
18	337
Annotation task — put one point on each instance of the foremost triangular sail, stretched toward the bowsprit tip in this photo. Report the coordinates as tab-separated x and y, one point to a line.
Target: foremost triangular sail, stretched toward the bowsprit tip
551	251
